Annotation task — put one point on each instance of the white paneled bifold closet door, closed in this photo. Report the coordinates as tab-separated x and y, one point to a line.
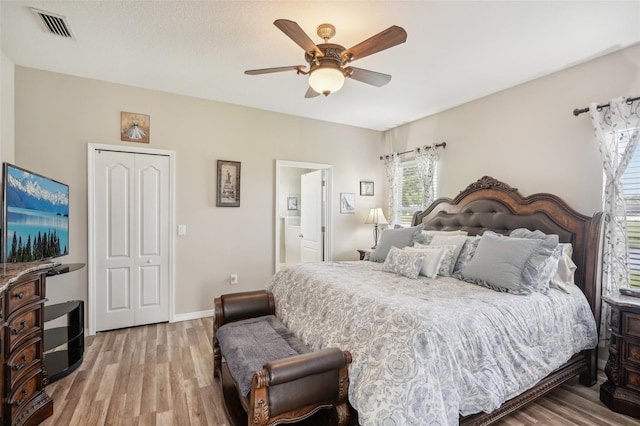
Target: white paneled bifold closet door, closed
131	239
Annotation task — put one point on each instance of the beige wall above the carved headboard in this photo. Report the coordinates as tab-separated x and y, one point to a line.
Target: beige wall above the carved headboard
527	136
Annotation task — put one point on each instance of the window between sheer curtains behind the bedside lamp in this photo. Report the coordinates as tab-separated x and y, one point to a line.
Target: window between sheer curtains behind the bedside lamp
410	192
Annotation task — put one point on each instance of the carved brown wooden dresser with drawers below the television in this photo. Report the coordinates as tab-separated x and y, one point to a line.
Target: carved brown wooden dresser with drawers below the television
22	373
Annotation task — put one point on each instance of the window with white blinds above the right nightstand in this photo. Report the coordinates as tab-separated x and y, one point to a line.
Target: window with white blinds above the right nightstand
631	189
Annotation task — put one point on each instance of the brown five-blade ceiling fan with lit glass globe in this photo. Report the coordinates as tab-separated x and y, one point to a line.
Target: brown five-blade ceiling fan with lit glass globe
328	62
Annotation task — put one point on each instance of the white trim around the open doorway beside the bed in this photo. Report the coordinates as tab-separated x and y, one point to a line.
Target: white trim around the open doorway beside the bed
326	214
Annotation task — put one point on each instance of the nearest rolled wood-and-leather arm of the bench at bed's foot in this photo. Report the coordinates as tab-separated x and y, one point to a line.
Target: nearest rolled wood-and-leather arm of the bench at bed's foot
298	386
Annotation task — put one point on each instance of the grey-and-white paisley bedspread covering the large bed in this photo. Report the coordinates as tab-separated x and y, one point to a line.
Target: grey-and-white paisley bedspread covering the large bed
427	350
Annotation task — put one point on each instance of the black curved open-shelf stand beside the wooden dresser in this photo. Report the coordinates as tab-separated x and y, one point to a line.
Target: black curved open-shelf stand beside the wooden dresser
59	361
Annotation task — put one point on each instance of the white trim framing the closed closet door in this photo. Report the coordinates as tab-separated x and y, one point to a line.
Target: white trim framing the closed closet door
92	149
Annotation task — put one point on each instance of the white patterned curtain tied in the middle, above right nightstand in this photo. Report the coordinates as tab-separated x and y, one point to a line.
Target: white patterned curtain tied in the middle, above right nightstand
620	122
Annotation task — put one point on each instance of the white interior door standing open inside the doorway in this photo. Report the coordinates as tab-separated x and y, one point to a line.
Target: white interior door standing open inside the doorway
311	232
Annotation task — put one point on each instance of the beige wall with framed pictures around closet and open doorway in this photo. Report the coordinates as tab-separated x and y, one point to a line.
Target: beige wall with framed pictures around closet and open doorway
58	115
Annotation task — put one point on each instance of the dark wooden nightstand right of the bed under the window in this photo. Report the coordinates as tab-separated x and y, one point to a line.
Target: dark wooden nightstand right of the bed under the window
621	393
